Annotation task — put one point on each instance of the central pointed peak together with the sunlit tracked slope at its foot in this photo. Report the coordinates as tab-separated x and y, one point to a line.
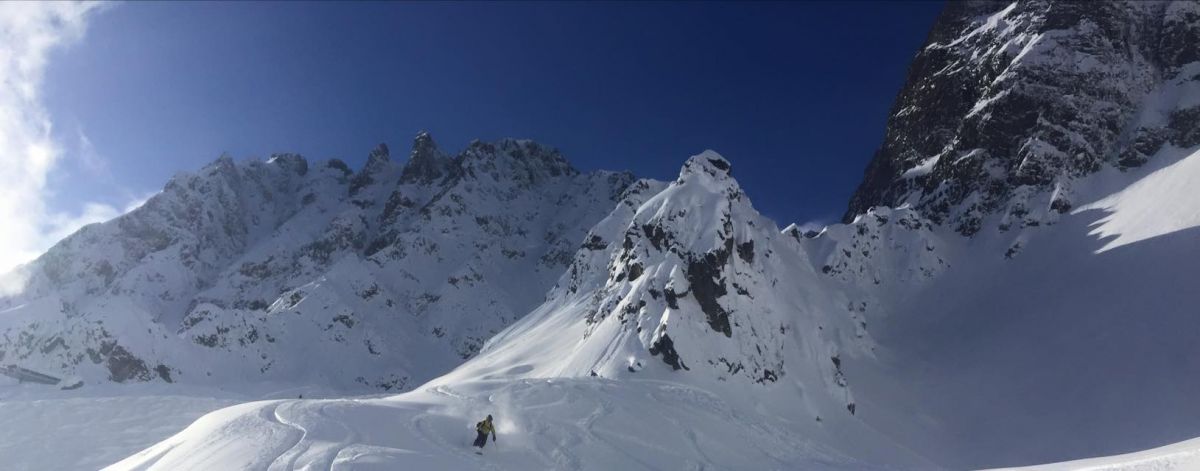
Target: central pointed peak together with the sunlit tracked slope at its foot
668	344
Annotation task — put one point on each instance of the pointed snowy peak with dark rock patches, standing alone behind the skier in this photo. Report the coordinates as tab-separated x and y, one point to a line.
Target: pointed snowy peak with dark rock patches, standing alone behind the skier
683	282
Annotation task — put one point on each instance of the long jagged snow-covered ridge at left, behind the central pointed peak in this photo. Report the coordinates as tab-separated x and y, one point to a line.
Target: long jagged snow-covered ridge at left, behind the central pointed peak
293	271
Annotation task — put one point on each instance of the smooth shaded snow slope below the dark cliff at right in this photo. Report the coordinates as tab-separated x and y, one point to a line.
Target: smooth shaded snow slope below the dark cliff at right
1069	348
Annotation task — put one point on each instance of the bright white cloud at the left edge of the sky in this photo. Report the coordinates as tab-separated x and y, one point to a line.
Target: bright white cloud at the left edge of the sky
29	33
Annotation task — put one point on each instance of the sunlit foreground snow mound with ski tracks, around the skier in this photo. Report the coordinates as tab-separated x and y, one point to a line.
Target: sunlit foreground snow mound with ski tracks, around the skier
565	425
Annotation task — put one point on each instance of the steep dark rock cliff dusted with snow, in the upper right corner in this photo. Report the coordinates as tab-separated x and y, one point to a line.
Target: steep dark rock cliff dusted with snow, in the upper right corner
1011	105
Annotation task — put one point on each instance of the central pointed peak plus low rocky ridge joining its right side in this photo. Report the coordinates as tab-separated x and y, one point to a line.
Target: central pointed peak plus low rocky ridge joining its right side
688	283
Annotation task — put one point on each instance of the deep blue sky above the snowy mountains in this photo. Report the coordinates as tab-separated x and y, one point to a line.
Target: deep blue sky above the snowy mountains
795	94
